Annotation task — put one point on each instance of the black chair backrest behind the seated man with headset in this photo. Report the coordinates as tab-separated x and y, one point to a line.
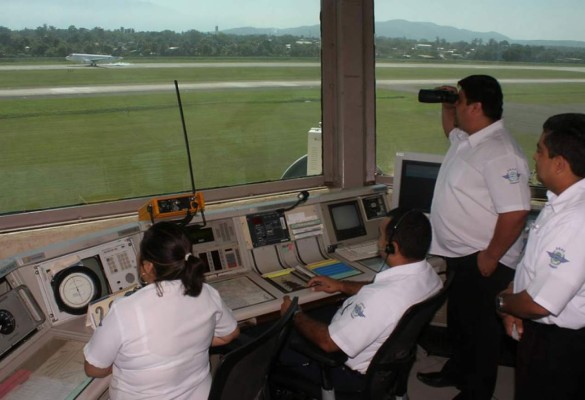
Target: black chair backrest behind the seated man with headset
392	362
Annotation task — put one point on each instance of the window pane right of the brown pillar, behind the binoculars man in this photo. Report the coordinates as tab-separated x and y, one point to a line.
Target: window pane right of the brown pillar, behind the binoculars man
535	49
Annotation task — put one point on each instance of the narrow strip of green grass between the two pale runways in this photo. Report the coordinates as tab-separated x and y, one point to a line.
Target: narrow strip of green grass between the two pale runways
78	75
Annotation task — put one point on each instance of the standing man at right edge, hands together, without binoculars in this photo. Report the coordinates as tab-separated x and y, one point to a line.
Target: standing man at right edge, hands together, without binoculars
545	306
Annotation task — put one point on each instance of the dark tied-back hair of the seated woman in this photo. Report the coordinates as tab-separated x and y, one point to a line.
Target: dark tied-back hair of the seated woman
167	246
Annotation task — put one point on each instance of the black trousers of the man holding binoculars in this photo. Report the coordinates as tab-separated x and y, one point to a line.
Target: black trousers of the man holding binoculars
474	326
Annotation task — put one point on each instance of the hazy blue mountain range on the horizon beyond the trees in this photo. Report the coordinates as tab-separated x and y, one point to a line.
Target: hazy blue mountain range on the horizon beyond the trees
398	28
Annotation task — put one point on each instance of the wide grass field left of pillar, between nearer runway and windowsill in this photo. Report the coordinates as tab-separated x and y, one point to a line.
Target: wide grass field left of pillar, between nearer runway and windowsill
75	151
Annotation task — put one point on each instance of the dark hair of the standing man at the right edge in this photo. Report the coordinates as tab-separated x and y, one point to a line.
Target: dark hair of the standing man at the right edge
564	135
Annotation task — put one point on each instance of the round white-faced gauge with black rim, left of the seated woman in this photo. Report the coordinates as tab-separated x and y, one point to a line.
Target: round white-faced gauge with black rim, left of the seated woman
75	288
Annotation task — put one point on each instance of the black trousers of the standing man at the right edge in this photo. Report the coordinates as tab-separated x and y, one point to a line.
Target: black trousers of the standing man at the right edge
550	363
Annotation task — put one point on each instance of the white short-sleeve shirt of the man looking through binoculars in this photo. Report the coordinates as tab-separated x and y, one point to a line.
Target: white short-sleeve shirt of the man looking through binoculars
482	175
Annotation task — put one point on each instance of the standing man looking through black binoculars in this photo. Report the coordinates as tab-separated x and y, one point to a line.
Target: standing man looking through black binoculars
479	209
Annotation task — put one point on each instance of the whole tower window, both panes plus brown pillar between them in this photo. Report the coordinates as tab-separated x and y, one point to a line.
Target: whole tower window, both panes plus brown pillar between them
76	137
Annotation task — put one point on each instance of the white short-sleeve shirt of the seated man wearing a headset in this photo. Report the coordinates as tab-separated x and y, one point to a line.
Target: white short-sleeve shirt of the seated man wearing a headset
366	319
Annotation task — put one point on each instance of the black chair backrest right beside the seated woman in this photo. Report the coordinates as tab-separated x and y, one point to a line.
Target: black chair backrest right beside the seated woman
243	372
